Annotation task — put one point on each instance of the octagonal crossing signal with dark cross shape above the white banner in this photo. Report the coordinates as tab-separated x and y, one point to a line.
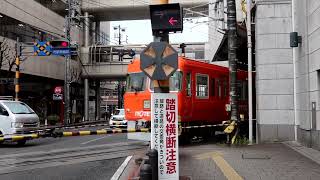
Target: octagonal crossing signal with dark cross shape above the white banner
159	60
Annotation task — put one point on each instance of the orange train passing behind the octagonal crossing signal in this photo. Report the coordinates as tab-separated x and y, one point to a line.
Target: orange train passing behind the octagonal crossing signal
202	88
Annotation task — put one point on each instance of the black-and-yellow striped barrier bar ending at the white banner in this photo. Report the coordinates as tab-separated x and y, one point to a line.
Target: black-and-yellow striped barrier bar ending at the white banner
98	132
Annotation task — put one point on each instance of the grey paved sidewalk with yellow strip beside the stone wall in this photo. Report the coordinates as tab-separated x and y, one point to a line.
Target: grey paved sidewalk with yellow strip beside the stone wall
256	162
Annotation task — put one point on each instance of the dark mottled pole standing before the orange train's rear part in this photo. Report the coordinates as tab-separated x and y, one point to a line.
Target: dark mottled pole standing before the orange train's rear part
232	56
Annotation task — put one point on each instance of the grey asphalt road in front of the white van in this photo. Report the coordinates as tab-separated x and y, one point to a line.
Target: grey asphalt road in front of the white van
81	157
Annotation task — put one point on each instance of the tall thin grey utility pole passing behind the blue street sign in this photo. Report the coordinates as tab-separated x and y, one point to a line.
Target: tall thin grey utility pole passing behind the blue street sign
67	109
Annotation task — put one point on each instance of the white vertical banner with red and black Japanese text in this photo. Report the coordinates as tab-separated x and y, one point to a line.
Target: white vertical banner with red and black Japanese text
164	133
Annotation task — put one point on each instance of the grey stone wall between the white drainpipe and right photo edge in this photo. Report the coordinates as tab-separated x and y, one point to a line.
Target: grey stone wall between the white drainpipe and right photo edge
308	71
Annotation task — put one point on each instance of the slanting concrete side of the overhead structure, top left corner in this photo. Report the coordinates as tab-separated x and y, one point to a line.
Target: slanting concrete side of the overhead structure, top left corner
34	14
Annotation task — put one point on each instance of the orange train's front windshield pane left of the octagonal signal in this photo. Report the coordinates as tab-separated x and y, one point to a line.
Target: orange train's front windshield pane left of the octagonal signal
135	82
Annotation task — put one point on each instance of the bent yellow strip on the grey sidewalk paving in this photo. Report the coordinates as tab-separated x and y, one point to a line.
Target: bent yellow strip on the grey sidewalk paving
224	166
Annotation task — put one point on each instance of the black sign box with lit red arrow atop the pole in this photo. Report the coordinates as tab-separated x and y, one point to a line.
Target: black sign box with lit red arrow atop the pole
166	18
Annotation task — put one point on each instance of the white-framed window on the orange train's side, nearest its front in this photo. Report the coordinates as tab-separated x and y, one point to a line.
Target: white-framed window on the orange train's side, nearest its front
202	82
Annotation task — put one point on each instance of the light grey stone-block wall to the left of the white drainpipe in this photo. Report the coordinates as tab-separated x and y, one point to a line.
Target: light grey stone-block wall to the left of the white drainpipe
274	77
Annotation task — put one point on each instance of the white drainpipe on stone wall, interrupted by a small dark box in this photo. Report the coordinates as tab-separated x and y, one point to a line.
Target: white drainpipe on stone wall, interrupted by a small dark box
294	59
